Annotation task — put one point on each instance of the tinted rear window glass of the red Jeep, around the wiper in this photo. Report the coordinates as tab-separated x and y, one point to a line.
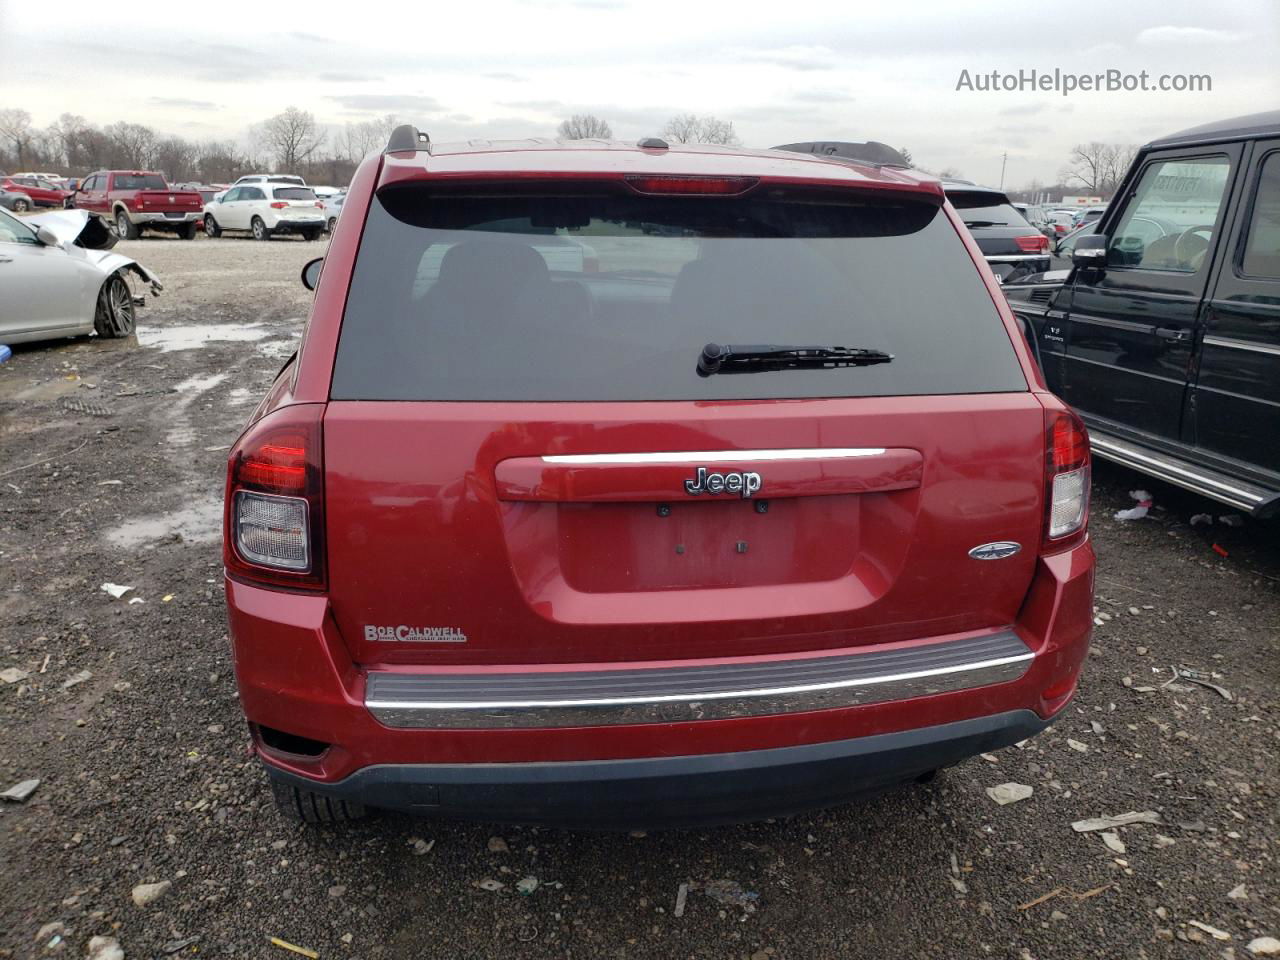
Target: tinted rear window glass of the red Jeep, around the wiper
614	298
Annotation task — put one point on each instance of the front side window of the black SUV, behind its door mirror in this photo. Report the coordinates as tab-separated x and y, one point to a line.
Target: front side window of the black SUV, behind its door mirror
1185	196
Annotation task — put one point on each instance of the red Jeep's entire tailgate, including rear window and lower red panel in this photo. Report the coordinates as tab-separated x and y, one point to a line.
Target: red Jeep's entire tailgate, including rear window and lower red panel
523	464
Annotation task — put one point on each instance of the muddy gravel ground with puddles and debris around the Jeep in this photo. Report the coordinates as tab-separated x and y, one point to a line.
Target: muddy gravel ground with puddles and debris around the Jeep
112	469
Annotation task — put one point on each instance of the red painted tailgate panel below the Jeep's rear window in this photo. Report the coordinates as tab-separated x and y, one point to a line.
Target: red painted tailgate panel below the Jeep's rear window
418	534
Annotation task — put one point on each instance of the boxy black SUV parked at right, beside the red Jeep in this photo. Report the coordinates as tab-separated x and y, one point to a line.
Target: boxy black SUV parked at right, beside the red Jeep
1165	335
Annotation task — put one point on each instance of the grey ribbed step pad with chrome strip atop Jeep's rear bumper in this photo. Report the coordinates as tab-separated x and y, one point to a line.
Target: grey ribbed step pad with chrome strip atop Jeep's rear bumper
678	694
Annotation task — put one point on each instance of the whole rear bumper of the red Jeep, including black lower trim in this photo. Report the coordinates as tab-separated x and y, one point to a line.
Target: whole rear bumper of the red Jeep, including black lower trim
296	676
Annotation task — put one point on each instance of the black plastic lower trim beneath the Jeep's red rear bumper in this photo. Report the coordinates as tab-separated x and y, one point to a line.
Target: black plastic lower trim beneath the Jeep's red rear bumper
675	792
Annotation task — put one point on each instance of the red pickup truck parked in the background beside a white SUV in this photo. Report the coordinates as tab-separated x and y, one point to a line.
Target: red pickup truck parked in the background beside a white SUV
138	199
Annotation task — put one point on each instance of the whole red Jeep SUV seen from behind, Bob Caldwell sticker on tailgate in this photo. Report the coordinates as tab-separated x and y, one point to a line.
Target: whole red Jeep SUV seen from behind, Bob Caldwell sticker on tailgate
624	486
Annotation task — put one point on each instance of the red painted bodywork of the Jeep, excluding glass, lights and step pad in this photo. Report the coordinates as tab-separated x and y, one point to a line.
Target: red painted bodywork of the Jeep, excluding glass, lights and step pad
447	515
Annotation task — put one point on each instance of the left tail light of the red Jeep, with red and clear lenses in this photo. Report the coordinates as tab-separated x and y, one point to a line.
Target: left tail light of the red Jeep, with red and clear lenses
273	528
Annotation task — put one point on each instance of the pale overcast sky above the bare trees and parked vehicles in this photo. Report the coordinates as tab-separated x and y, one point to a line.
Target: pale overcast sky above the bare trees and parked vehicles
780	72
